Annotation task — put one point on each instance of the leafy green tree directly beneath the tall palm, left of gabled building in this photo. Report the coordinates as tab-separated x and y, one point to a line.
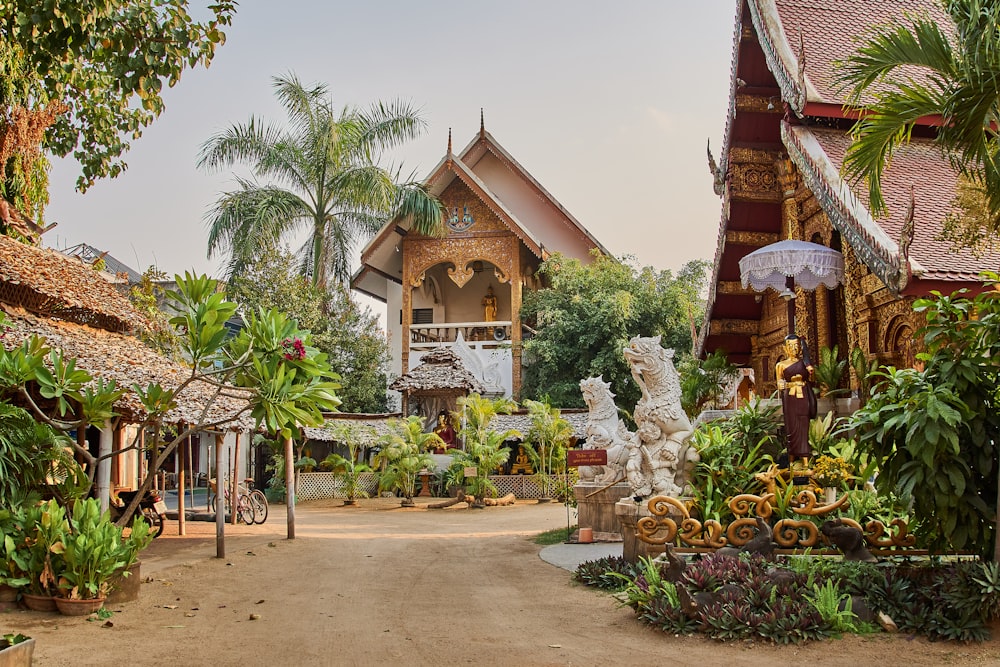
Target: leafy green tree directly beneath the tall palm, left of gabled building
348	333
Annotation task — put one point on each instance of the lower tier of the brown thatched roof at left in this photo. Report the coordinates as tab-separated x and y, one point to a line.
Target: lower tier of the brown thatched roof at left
128	361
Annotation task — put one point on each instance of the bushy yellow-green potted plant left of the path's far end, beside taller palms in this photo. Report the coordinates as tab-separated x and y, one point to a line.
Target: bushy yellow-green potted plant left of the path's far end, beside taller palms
404	455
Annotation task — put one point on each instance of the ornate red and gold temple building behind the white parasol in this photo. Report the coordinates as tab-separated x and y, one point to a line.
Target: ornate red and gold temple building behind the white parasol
779	177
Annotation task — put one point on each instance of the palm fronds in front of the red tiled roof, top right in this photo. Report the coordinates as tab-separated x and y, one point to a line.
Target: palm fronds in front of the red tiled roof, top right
904	73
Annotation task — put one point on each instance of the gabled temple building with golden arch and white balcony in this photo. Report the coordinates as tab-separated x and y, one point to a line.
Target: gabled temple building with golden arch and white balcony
464	289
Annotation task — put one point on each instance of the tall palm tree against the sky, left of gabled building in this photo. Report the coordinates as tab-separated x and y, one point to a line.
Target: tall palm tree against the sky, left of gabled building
319	174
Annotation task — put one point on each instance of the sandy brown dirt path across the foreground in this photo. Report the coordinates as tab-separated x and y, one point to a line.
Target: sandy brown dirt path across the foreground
380	585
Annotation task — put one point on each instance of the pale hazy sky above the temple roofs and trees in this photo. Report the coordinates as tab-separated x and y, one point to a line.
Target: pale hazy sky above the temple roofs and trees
608	105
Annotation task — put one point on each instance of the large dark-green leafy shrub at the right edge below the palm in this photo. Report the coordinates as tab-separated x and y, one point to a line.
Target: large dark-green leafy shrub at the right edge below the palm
934	432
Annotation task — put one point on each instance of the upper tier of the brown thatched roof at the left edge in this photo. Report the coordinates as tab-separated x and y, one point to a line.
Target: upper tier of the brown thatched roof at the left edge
49	283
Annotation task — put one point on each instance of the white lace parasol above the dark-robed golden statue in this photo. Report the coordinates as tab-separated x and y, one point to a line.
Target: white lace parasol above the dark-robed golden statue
809	264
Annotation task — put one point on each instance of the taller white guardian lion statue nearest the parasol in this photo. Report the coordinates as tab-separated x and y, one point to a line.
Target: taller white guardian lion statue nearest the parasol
660	459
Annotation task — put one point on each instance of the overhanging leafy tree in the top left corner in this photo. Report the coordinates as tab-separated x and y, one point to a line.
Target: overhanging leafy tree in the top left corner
86	76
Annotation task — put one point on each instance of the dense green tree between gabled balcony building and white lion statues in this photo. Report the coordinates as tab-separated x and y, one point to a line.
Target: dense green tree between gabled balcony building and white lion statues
587	316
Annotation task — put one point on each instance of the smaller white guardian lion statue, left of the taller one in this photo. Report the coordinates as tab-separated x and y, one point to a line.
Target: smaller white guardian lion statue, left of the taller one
604	431
